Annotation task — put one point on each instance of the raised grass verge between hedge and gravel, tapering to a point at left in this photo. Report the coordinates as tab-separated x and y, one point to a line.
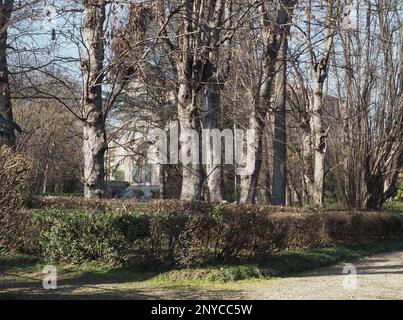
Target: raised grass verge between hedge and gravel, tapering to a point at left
280	264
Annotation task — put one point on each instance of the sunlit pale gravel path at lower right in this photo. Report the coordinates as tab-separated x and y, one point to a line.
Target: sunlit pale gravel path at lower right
378	277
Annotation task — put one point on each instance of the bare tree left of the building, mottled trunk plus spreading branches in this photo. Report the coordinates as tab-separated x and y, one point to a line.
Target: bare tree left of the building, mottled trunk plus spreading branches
94	76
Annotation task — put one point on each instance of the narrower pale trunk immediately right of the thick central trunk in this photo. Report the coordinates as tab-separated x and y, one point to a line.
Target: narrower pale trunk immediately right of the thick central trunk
214	172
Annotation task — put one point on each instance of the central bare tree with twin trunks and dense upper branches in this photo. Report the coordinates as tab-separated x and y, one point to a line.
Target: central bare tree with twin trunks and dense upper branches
199	67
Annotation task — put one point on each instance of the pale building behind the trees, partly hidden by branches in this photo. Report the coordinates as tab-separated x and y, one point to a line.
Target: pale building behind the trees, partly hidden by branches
140	109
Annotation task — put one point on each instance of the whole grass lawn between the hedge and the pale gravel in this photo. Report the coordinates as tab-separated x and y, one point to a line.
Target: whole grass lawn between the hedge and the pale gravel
21	276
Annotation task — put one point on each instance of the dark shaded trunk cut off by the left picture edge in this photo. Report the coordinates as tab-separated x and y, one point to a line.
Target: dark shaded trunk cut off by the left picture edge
7	135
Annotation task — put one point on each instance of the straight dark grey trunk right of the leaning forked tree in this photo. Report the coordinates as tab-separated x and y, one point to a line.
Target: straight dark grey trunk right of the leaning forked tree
280	130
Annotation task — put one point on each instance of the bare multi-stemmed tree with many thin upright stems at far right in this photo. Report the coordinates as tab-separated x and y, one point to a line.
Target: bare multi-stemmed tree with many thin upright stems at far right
365	149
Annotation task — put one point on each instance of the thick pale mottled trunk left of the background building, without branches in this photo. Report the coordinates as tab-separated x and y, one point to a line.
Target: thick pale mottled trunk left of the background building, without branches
95	143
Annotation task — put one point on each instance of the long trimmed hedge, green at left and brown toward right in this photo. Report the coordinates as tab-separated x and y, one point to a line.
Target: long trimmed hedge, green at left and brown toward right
191	234
